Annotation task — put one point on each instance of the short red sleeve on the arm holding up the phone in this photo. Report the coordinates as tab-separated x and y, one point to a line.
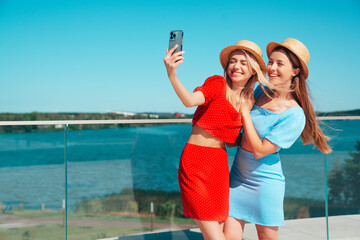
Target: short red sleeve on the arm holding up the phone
212	88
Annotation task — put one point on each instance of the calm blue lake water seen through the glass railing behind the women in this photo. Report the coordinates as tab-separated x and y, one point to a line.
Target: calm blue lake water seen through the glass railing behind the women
102	162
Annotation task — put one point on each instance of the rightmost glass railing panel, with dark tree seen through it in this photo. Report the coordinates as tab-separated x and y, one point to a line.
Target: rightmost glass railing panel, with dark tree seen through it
343	174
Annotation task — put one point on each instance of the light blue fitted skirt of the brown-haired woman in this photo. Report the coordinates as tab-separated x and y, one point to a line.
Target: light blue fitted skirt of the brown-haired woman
257	188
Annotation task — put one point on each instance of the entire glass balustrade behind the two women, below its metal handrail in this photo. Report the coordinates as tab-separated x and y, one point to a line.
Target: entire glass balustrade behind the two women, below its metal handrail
89	181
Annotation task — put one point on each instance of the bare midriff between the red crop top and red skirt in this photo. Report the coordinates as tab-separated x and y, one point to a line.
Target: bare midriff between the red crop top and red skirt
200	137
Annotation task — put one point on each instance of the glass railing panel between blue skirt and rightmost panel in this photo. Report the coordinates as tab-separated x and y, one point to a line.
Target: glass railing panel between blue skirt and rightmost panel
304	168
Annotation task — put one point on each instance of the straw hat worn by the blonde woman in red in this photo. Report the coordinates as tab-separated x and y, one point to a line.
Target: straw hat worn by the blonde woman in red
243	45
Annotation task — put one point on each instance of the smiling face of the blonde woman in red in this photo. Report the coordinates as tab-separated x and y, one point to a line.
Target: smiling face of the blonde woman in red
238	69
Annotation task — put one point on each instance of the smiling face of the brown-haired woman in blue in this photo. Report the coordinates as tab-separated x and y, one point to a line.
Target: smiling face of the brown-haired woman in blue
280	69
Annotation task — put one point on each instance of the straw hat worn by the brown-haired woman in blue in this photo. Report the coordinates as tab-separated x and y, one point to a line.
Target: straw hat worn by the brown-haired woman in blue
297	48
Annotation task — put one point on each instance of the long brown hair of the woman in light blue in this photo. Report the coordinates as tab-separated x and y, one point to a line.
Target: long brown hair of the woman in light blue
312	132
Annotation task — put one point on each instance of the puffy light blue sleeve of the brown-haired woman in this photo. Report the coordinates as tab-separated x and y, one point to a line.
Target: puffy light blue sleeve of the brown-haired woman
288	128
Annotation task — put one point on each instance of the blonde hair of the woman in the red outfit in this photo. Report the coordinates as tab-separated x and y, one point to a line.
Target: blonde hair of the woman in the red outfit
249	86
